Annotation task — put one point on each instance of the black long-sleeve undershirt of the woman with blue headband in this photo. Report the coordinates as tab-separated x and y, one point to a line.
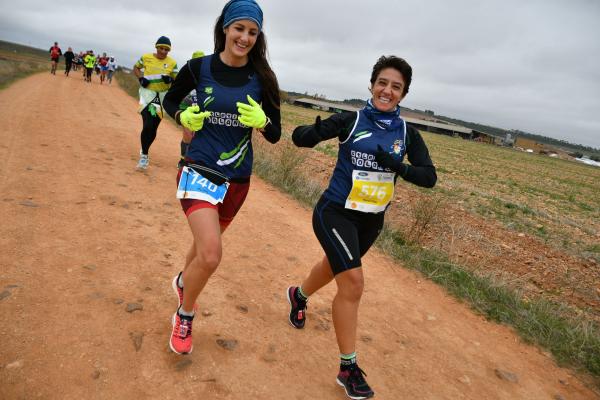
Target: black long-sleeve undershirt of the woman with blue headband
225	75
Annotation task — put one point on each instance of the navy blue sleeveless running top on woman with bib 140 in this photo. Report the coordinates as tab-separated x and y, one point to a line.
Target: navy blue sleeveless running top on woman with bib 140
223	144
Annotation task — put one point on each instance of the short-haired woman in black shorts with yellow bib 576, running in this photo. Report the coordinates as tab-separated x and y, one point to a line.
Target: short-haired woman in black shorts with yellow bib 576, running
373	145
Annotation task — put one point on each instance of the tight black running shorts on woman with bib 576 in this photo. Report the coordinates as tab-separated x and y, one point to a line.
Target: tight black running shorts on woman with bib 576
345	235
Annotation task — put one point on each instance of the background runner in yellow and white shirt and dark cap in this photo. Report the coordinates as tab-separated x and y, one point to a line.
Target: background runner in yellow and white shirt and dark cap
155	72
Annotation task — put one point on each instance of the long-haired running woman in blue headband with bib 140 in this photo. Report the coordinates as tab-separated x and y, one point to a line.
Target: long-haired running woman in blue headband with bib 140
230	85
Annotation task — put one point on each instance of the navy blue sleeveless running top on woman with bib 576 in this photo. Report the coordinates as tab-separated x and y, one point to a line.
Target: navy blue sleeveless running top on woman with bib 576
357	152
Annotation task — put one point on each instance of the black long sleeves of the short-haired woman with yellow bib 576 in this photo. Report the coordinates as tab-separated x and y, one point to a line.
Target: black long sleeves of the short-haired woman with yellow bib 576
420	171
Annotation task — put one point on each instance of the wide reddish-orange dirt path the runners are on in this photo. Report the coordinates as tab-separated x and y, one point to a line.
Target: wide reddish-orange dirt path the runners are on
83	236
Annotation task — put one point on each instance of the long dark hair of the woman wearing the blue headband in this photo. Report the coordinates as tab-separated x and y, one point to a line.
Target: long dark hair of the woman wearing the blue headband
258	57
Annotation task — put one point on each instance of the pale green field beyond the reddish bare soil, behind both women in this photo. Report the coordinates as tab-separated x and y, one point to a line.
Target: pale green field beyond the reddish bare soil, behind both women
553	199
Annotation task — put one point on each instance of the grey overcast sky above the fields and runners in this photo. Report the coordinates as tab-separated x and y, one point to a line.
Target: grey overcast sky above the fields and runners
532	65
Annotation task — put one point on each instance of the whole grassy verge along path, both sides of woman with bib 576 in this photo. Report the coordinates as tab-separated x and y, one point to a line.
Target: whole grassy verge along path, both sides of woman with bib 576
572	339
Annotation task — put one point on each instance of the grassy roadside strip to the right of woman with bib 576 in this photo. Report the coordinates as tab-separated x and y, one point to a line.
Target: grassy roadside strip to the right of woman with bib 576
572	339
